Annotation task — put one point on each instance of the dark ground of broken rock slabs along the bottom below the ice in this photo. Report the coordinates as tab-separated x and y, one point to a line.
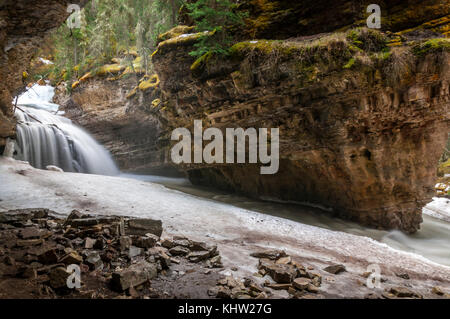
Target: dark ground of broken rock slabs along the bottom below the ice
126	258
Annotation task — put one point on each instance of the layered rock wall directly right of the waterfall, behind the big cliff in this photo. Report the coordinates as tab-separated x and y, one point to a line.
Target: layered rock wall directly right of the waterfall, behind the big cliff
126	127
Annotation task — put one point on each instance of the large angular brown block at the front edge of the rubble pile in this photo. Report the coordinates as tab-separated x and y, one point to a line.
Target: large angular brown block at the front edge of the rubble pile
133	276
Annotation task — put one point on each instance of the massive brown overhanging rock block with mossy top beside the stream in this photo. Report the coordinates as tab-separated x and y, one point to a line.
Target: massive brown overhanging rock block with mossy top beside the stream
362	126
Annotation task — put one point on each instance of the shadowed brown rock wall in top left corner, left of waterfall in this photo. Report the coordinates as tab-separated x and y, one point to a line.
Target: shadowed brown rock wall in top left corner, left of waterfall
23	26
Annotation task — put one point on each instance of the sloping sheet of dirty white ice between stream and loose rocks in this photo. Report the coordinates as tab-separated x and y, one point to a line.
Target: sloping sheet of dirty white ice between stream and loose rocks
236	231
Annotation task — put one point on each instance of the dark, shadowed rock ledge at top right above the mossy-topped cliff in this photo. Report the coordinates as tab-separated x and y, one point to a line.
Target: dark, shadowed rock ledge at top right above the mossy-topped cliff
281	19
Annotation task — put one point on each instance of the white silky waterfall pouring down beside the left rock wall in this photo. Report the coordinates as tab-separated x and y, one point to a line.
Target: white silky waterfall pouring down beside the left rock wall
45	138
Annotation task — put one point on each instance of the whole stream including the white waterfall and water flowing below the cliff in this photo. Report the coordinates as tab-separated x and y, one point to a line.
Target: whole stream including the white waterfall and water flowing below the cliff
44	137
